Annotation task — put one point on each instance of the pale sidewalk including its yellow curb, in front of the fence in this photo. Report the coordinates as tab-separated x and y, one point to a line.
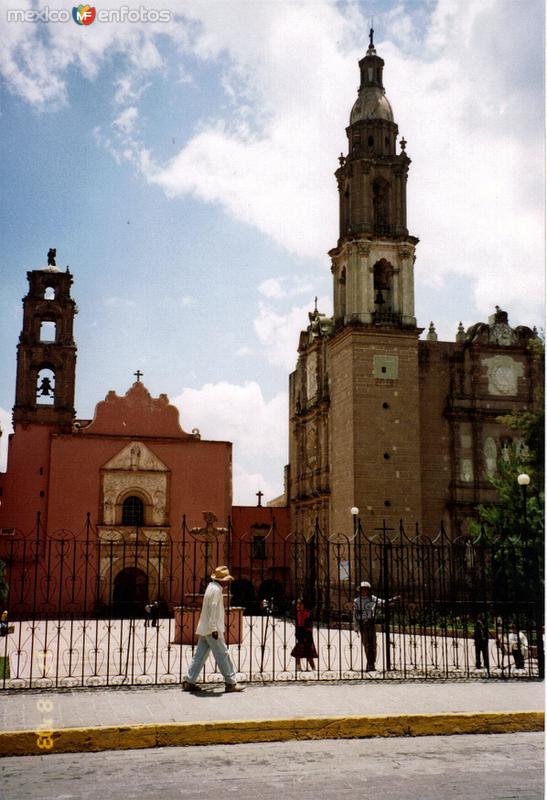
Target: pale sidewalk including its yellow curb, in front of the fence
41	722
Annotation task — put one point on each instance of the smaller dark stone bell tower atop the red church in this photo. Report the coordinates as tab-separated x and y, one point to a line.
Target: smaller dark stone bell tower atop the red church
46	354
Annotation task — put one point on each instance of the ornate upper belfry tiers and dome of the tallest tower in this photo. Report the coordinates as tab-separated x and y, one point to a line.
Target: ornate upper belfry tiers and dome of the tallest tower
373	262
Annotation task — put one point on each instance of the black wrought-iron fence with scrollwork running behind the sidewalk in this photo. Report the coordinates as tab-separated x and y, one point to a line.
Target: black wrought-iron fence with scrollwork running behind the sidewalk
120	606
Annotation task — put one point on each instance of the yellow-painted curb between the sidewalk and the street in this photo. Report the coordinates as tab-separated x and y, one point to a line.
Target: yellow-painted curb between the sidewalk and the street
127	737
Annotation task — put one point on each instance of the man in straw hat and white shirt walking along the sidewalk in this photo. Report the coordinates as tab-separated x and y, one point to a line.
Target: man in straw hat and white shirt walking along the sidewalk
210	630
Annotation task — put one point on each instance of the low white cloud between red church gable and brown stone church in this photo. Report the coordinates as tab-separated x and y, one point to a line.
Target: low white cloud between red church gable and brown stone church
222	411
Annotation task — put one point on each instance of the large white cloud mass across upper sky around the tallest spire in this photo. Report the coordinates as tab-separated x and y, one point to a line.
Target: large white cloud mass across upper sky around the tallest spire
463	82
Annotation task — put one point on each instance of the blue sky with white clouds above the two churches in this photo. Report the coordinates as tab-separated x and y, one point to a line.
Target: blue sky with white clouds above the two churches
183	169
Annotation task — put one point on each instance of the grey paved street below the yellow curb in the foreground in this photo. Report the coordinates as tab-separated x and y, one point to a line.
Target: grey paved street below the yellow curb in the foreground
500	767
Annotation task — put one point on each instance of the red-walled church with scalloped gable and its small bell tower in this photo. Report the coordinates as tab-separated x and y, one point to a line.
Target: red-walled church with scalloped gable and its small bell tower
153	501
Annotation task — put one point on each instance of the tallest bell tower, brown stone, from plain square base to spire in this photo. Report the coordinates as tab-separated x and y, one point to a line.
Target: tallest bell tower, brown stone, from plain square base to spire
374	418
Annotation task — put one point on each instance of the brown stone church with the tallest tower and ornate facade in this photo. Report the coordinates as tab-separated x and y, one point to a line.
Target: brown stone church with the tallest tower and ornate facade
381	420
